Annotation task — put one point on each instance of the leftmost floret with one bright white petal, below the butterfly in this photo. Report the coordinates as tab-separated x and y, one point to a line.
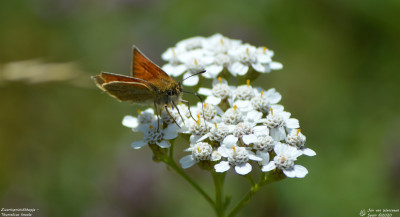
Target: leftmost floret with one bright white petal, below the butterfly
144	118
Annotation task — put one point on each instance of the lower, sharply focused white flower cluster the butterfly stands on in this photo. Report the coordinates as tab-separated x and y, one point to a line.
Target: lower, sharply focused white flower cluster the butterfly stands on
252	128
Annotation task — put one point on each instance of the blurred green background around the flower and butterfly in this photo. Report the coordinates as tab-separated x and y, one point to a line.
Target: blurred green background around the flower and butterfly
64	151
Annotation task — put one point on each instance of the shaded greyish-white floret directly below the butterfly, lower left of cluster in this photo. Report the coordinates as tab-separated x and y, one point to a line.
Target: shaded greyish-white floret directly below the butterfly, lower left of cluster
157	136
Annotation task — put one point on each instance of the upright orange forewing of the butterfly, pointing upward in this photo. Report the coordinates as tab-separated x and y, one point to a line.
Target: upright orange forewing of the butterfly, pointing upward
145	69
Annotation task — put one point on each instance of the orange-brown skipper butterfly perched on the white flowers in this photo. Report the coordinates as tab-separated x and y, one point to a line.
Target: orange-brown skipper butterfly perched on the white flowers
147	84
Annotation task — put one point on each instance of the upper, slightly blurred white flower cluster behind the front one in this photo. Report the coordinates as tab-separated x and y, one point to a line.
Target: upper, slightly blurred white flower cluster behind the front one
214	54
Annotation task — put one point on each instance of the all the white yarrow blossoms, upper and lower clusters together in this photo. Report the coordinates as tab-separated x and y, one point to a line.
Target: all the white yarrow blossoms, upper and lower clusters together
238	127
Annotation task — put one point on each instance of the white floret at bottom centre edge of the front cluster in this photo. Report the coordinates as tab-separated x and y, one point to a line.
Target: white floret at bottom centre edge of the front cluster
237	157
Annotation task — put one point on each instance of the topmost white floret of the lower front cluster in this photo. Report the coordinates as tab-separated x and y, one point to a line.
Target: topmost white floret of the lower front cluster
219	92
